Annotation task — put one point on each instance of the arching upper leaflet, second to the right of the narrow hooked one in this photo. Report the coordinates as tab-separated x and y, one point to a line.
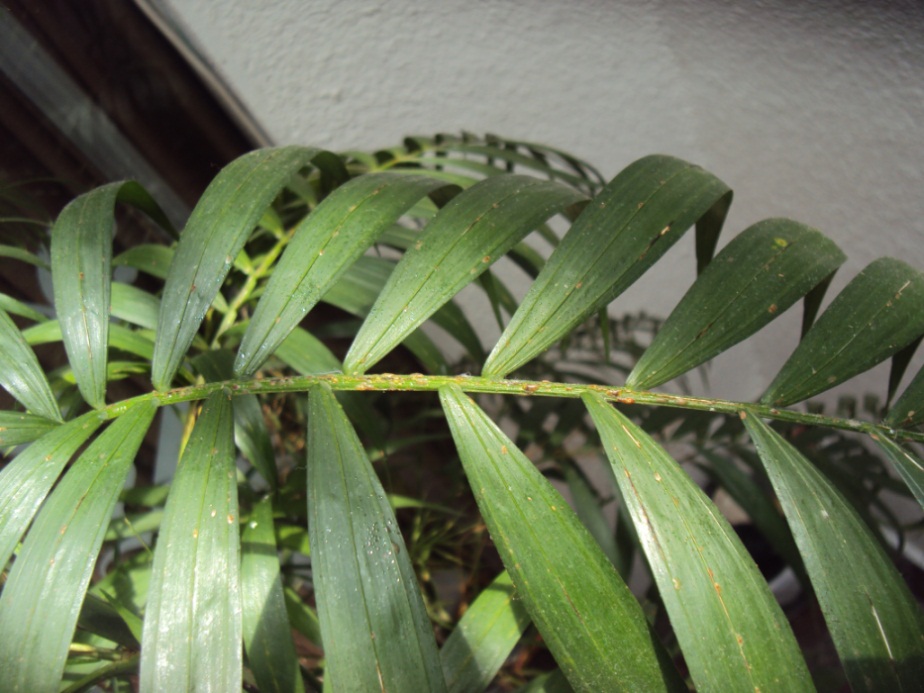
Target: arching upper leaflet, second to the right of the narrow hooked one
324	245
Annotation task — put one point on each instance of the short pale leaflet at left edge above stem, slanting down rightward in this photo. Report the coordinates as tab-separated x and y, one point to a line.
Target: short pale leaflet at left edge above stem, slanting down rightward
21	374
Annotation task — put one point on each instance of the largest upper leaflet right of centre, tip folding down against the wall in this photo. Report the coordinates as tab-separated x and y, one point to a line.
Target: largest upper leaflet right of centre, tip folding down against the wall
637	217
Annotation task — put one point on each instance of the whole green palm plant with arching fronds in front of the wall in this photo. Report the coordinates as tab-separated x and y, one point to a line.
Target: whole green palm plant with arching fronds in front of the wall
248	542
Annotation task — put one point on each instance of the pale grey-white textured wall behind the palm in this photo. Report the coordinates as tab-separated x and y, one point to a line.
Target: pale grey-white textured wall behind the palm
813	110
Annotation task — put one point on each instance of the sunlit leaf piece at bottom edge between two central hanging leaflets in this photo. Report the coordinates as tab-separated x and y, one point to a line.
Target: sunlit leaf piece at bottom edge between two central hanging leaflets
483	638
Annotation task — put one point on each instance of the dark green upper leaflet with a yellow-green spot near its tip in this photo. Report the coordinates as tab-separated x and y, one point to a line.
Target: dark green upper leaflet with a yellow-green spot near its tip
755	278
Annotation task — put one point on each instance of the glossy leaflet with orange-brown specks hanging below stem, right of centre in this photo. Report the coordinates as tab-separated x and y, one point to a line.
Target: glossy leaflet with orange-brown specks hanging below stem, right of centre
703	572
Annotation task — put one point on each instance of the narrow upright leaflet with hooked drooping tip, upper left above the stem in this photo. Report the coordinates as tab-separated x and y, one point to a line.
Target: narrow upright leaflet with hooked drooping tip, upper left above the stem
81	260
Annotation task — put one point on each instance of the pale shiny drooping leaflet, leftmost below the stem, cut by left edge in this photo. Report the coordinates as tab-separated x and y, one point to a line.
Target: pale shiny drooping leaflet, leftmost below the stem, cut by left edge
26	480
